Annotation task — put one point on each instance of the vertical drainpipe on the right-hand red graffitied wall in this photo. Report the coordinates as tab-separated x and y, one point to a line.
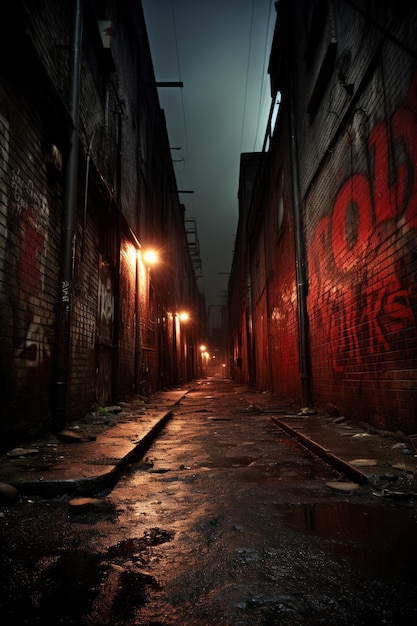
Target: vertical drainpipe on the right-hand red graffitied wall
304	364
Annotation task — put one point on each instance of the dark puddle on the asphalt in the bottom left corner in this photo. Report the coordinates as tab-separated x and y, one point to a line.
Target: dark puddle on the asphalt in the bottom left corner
76	586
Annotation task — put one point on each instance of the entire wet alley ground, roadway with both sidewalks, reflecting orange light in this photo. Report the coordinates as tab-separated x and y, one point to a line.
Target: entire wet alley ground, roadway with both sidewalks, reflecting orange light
224	515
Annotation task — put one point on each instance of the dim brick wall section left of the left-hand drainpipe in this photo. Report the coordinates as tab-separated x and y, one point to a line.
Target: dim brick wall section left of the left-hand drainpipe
30	212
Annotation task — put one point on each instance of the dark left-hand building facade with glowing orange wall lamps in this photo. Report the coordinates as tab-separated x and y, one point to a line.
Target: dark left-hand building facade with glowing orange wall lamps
87	187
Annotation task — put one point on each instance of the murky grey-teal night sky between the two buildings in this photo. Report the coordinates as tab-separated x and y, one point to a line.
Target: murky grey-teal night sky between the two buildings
220	50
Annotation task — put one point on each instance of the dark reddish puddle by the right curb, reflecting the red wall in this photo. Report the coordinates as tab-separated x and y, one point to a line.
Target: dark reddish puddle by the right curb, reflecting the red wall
363	534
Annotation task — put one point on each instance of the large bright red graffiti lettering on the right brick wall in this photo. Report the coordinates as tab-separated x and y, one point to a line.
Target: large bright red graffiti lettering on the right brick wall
361	257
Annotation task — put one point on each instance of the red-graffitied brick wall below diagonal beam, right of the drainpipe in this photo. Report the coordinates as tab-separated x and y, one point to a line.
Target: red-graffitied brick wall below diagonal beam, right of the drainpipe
362	295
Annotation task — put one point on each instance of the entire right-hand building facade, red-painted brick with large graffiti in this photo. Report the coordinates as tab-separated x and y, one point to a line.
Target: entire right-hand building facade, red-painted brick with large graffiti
328	243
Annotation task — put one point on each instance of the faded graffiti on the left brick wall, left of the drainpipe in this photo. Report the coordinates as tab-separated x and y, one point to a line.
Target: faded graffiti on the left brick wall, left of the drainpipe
29	208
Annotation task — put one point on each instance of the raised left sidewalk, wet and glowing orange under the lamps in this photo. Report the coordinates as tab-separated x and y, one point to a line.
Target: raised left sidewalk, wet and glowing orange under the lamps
92	453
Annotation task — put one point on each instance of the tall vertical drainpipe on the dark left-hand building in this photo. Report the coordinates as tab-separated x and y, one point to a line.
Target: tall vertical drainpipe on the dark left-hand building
68	231
